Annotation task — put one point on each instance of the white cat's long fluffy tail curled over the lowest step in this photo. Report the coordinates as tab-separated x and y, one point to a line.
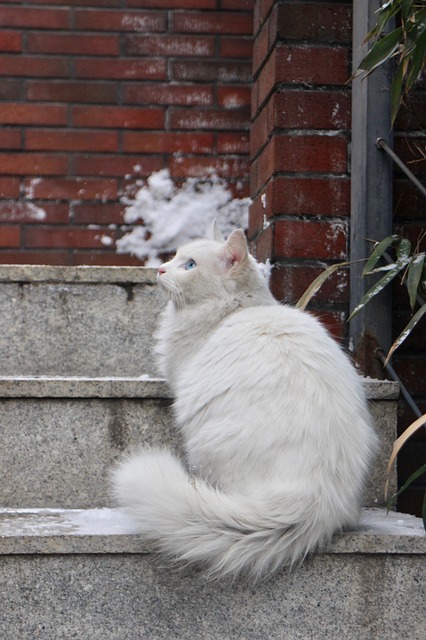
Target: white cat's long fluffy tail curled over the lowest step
193	522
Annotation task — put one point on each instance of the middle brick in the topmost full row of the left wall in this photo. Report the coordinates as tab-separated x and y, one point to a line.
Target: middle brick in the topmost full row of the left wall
98	20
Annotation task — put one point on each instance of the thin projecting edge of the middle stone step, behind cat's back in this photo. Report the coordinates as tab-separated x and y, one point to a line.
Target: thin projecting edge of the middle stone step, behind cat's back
143	386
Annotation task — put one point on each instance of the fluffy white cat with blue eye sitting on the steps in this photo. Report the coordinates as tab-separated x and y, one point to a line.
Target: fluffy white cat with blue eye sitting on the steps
273	415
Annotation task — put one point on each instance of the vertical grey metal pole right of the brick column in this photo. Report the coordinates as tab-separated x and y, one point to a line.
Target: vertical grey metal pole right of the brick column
371	193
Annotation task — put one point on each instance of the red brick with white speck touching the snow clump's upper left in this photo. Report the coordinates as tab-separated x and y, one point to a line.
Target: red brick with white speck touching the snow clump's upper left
112	165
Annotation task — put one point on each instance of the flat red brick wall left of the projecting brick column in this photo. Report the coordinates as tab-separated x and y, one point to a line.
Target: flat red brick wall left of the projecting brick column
95	97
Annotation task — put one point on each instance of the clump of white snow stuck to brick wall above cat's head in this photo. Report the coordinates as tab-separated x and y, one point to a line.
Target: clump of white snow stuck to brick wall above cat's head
172	216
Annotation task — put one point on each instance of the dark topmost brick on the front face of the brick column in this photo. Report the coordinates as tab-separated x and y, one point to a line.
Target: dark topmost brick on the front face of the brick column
313	21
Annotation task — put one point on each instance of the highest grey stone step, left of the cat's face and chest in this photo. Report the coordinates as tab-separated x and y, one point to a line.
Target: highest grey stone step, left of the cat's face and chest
89	321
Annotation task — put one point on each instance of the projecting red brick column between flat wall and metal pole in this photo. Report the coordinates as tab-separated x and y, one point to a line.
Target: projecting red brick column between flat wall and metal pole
299	148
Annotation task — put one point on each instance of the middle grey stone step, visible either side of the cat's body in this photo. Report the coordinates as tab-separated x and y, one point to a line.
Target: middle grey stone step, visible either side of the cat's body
60	436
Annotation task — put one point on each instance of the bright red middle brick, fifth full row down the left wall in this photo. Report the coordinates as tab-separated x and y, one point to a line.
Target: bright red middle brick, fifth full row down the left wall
118	117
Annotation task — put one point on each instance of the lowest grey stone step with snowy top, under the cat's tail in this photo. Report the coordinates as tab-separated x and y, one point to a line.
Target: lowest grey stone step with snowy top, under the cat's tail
84	574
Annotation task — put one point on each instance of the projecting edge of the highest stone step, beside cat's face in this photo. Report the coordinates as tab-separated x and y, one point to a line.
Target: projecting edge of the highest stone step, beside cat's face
84	274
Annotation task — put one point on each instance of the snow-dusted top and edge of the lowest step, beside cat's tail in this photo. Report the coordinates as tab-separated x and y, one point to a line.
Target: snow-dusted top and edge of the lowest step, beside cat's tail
102	531
